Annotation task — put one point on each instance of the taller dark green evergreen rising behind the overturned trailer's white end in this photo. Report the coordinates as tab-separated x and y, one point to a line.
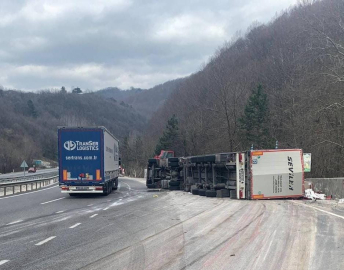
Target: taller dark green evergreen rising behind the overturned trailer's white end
255	121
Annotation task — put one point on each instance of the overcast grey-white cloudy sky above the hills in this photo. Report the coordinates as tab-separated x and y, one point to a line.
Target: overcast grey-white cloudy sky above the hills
95	44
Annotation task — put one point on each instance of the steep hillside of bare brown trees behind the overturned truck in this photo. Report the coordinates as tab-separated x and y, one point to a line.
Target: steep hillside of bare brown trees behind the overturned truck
298	59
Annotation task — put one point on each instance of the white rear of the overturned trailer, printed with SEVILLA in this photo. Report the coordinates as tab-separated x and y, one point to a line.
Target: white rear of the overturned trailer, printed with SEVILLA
276	174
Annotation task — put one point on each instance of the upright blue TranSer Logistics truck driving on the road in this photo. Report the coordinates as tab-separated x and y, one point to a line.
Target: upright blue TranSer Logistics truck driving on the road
88	160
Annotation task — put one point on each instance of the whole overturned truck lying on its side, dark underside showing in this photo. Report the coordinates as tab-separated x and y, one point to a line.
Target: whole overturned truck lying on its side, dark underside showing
256	174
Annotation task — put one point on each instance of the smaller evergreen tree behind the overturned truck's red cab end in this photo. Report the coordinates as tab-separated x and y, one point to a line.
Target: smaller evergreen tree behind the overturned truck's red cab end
170	139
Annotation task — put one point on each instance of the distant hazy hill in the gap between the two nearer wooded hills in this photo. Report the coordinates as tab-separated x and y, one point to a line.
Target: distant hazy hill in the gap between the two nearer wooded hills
146	102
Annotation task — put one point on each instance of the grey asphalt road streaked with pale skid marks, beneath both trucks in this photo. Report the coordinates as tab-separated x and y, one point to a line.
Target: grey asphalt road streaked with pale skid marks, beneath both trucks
135	229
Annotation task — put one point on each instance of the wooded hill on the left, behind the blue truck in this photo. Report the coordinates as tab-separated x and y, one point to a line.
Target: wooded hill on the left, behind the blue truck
29	122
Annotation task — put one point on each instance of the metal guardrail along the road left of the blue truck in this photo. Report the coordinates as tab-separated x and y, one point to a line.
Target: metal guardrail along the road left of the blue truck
11	188
